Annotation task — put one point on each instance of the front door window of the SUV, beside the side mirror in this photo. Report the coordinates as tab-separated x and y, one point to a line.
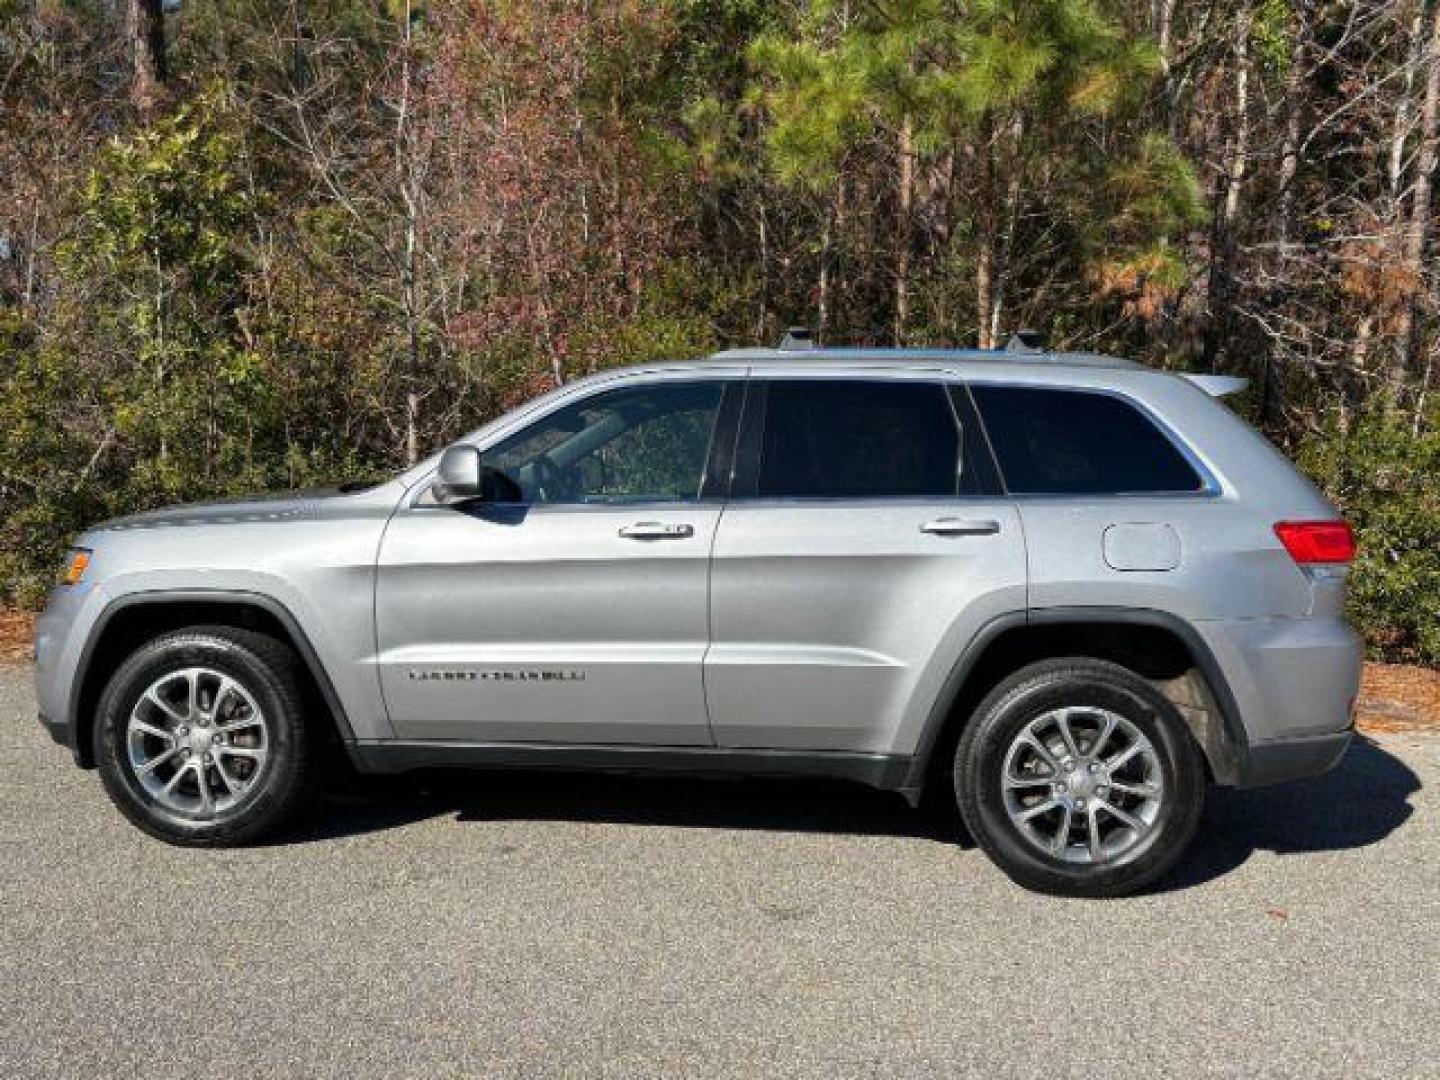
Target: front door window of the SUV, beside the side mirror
643	444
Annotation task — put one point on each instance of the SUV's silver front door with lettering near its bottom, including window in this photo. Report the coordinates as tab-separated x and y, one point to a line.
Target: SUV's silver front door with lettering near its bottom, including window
580	613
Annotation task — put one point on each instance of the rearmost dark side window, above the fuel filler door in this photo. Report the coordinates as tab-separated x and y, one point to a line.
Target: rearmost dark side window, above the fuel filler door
1076	443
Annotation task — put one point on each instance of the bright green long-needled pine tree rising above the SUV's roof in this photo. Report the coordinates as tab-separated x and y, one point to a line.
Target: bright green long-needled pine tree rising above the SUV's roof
977	102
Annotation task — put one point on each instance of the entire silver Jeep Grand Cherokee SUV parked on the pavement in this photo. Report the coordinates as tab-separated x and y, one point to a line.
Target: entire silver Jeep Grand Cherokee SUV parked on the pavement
1066	591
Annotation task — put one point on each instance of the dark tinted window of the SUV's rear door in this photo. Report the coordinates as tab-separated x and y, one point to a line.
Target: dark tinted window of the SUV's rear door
858	440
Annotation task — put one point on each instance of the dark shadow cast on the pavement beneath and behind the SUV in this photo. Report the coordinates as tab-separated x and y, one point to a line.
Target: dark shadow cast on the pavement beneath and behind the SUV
1360	803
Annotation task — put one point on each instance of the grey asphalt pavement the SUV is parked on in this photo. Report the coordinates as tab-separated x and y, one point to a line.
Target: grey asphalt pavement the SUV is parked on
549	925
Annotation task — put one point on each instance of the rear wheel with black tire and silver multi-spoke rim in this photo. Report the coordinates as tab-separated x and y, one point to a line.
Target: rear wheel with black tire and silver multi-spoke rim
1120	819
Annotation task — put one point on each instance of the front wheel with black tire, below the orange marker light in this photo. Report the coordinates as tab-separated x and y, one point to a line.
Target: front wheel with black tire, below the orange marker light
222	706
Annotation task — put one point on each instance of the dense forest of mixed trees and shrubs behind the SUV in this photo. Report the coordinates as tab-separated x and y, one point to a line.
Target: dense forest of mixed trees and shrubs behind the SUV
261	244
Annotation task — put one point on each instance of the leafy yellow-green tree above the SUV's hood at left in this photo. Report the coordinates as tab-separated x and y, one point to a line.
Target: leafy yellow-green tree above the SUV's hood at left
158	267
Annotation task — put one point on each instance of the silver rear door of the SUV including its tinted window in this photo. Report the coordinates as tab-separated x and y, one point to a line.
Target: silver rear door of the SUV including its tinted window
863	546
